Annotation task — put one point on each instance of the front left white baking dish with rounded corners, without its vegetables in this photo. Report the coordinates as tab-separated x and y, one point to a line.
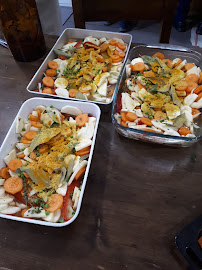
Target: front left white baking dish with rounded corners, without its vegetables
11	138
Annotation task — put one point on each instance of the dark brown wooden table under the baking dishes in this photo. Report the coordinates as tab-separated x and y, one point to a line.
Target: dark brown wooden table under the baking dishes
138	197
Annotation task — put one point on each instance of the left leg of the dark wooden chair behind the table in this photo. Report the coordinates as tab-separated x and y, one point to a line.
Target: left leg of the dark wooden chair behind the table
79	21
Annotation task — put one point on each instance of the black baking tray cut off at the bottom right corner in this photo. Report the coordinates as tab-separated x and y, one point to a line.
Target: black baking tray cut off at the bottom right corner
187	243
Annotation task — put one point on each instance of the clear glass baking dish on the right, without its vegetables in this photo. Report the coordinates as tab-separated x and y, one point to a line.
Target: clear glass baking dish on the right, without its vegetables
170	52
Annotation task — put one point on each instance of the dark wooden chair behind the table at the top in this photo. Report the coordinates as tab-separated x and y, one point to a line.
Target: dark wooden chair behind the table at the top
126	10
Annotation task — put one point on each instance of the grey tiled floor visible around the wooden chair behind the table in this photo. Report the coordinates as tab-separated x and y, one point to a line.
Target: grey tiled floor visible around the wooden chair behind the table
143	32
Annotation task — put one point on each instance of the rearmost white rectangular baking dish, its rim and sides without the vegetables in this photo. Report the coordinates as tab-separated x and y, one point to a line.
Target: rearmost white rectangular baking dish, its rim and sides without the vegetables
73	33
